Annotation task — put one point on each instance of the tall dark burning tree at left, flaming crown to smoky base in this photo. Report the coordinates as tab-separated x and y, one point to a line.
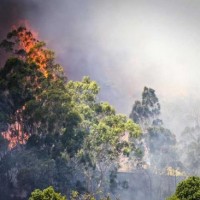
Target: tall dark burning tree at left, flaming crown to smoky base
34	111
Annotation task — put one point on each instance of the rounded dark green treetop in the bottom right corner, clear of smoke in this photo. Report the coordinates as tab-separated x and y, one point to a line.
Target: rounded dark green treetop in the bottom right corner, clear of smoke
188	189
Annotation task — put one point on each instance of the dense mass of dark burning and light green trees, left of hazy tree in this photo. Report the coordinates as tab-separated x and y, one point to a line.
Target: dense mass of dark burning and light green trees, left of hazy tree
53	131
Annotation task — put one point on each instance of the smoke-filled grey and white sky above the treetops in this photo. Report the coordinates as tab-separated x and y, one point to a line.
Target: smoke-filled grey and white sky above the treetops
124	45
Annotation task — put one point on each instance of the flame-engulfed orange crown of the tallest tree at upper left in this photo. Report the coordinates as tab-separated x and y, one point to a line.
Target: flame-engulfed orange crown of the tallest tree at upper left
23	44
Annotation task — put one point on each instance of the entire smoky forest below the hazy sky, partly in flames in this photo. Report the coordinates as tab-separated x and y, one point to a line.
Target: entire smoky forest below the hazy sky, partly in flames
59	141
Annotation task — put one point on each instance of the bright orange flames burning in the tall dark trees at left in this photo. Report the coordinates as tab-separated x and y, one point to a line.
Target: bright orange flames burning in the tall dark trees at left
32	51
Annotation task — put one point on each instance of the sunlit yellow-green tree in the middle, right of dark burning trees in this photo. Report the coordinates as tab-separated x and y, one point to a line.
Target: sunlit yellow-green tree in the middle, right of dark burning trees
103	130
